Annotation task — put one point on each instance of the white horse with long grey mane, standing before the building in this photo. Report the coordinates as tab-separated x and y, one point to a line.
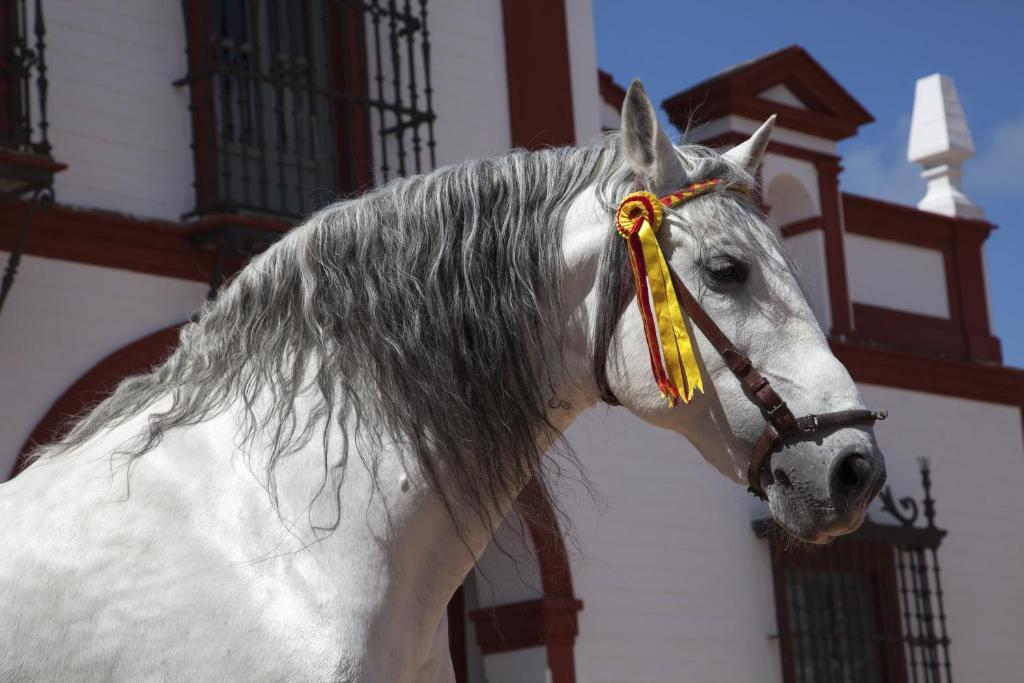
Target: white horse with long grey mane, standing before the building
209	521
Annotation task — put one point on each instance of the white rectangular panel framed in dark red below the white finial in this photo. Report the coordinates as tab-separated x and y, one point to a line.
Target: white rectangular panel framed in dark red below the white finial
897	276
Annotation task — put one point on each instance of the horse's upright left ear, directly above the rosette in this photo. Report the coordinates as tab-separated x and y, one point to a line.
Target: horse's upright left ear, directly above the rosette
652	155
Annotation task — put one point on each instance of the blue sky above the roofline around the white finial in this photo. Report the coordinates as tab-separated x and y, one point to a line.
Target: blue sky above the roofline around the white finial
877	51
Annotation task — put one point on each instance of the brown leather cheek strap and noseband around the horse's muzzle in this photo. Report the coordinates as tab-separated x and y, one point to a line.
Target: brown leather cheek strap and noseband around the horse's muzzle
783	424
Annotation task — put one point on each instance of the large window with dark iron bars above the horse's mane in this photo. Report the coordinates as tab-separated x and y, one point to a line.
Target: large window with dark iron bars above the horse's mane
295	103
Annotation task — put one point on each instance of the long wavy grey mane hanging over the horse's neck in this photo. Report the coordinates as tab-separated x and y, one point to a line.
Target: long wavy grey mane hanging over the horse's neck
425	313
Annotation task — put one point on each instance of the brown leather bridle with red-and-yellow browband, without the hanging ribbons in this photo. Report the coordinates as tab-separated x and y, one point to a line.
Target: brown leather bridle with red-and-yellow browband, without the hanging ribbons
782	425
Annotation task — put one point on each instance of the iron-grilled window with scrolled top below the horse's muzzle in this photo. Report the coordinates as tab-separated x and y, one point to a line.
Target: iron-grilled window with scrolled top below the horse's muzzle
869	608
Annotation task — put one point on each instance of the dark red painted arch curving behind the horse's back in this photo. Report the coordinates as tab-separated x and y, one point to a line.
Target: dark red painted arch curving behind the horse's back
97	385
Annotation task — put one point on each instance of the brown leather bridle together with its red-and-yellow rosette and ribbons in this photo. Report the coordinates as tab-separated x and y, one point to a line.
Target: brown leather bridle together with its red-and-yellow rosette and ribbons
663	296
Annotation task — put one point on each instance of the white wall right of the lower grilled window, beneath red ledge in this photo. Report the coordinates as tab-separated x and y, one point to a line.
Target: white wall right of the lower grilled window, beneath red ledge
977	459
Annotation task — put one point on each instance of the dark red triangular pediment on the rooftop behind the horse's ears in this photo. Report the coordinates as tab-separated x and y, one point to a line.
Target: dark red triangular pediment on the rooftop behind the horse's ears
832	113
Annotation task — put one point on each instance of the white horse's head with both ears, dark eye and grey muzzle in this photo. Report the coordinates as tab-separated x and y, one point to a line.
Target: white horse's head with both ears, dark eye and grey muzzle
820	481
